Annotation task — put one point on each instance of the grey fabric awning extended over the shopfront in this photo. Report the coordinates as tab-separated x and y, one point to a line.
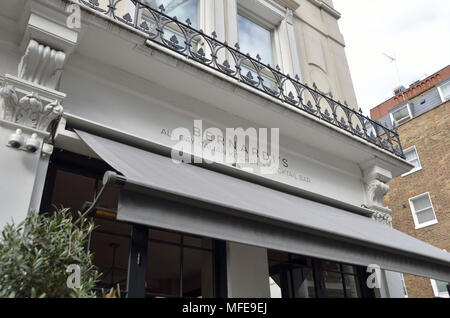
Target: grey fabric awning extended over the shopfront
186	198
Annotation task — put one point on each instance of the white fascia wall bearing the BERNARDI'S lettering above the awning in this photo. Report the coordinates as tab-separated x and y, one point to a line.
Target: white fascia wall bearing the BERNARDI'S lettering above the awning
147	110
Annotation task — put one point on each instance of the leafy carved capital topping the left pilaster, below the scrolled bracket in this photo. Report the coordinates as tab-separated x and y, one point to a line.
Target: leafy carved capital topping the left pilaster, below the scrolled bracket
28	108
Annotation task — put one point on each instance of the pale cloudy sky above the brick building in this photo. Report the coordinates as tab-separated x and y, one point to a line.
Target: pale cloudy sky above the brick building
416	32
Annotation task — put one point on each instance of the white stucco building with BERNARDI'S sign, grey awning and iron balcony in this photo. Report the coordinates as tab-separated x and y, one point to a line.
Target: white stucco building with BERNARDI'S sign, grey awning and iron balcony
107	93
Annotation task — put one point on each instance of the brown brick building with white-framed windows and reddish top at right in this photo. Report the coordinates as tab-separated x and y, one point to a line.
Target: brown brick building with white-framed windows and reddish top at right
420	199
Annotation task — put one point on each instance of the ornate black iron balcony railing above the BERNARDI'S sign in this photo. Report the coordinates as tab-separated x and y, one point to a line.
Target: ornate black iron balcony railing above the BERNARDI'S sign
193	44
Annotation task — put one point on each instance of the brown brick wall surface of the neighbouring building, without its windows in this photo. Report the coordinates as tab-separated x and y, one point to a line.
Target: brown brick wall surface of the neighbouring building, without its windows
430	133
